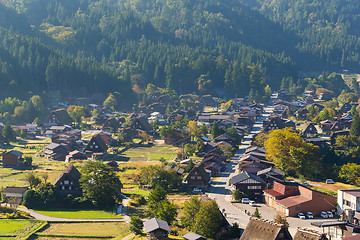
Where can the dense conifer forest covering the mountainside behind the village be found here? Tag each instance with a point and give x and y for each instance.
(229, 48)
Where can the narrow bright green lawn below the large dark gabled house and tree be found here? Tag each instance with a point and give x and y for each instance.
(80, 214)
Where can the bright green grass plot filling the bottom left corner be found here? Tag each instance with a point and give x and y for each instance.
(17, 227)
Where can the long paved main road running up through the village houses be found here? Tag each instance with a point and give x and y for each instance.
(220, 191)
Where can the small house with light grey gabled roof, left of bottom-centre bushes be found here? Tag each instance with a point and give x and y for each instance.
(156, 229)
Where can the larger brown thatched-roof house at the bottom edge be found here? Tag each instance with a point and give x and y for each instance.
(260, 229)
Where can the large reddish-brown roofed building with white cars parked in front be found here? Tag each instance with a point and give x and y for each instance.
(290, 199)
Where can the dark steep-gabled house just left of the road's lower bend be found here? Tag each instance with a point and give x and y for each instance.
(198, 178)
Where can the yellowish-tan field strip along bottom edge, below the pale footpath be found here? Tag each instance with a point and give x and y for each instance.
(108, 229)
